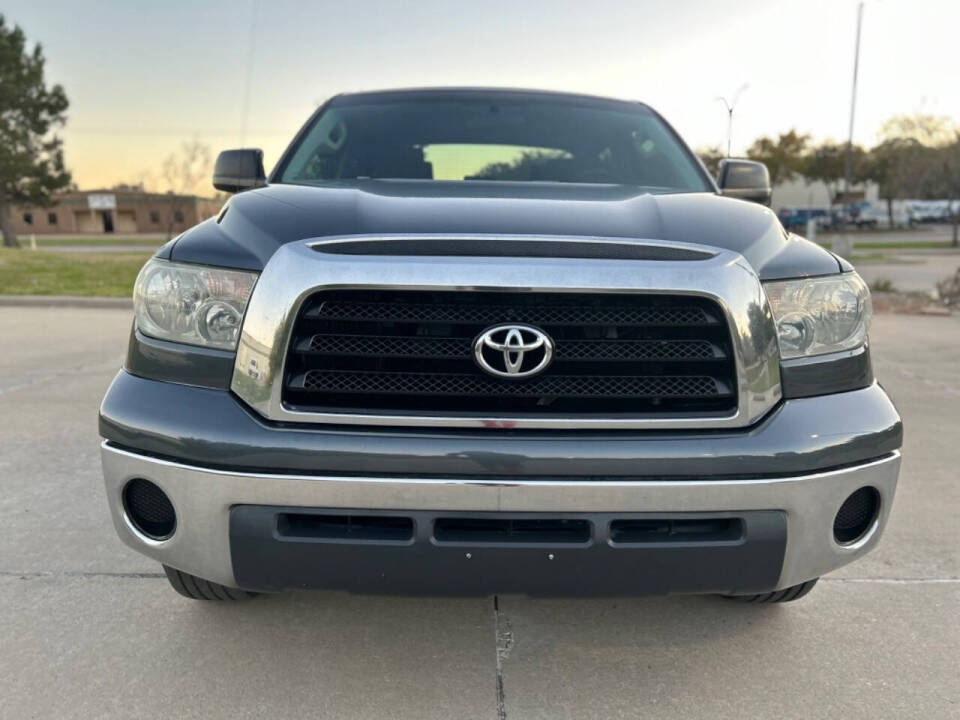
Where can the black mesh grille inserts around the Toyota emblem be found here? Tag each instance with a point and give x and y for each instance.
(411, 352)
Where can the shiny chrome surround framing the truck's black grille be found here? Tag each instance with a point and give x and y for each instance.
(299, 269)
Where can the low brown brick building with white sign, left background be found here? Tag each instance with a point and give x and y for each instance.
(122, 211)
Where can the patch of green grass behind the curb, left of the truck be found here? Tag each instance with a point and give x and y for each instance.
(89, 273)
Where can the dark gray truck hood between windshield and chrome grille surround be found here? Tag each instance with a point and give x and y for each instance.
(256, 223)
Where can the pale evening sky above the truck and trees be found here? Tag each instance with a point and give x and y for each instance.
(145, 77)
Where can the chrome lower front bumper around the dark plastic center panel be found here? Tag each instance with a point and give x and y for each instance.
(203, 499)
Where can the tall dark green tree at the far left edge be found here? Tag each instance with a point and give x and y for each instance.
(31, 158)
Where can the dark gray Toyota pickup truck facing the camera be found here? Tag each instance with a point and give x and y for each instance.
(473, 341)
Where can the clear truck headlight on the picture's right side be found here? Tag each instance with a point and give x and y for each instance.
(820, 315)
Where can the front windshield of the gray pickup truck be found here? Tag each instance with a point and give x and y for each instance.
(493, 139)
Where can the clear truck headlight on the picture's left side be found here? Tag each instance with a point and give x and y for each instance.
(191, 304)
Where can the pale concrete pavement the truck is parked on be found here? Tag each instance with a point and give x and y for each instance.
(89, 629)
